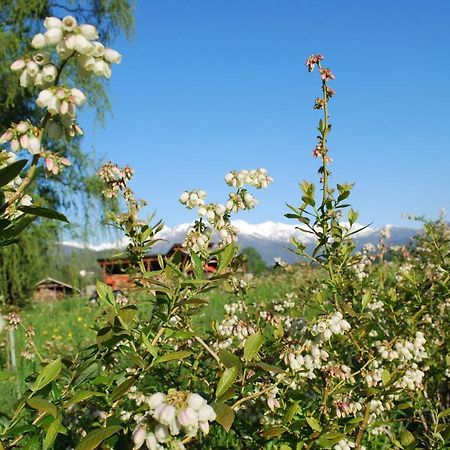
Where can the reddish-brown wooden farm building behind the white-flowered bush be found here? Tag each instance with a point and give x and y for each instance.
(115, 270)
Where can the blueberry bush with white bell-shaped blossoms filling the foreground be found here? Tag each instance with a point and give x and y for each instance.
(351, 356)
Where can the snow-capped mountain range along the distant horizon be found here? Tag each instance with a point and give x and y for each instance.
(271, 239)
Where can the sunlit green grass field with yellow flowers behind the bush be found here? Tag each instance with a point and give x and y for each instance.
(64, 327)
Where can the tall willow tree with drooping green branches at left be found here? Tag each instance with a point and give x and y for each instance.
(74, 189)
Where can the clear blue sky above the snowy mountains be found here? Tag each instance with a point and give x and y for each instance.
(208, 86)
